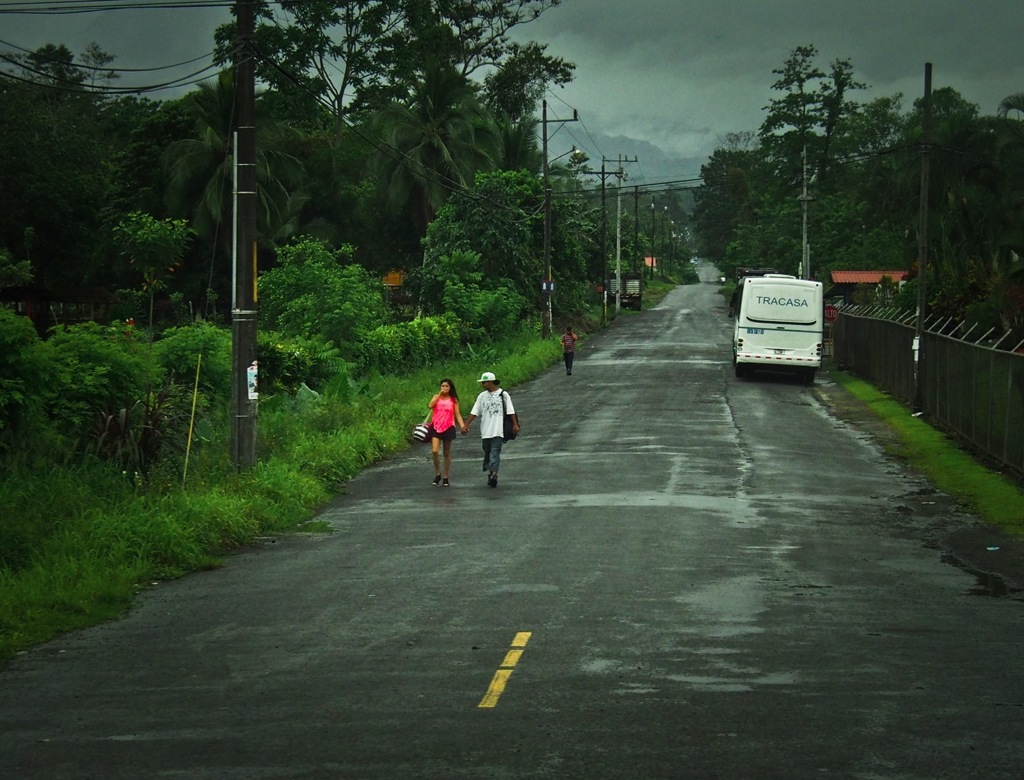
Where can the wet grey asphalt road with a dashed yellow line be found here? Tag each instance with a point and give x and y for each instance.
(680, 576)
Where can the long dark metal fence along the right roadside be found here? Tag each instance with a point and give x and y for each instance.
(971, 384)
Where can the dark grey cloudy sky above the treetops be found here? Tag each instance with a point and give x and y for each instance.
(655, 77)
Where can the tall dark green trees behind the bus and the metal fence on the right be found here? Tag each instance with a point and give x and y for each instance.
(863, 171)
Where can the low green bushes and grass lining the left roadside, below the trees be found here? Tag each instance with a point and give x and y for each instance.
(99, 506)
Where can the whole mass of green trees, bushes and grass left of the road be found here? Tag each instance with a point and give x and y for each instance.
(376, 152)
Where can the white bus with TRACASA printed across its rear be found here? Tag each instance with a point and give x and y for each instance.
(779, 325)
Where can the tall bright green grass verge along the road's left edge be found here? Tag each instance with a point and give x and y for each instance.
(79, 540)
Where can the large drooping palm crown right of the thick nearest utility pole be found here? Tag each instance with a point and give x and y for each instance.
(433, 145)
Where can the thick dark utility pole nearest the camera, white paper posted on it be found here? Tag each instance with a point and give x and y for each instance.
(244, 368)
